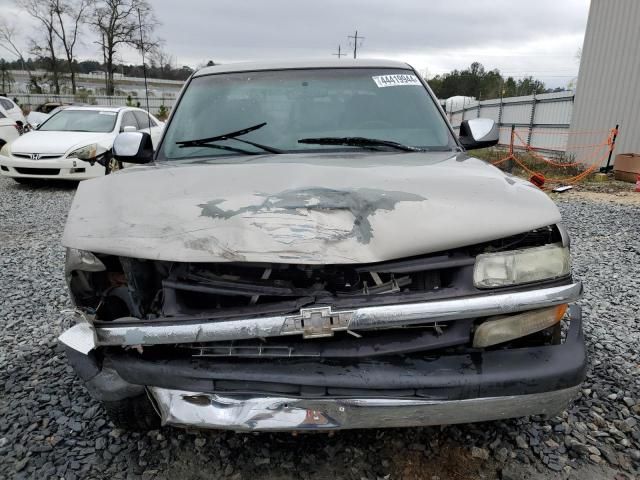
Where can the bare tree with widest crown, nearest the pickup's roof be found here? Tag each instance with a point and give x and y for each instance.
(117, 24)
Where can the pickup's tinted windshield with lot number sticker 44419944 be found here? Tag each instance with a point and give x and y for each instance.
(372, 103)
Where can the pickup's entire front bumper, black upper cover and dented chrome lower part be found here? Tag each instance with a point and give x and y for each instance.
(354, 393)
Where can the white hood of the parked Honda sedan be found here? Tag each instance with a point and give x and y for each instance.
(56, 142)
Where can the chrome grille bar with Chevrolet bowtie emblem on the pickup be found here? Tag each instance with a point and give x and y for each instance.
(323, 321)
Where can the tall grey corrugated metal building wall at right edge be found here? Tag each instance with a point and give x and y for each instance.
(608, 90)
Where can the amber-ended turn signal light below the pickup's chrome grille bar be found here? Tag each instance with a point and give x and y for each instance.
(502, 329)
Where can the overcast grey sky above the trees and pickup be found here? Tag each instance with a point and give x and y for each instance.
(520, 38)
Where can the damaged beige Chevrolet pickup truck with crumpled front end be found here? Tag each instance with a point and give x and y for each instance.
(310, 247)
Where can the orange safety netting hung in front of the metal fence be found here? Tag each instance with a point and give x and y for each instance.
(592, 161)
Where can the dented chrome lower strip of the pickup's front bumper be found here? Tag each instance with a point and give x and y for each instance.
(189, 409)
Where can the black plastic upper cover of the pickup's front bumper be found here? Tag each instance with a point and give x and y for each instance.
(470, 375)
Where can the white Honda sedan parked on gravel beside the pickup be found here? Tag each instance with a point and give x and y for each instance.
(52, 151)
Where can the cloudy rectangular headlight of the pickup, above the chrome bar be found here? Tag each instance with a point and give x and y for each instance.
(514, 267)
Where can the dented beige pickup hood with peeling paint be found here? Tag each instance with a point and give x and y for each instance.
(304, 208)
